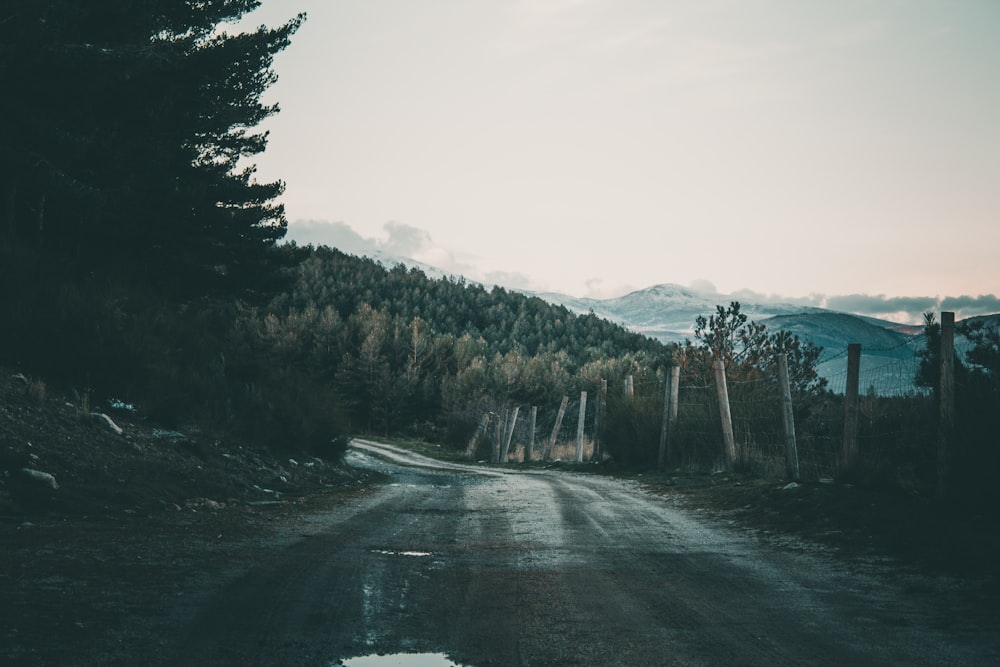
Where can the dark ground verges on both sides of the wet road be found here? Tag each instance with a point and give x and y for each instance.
(143, 518)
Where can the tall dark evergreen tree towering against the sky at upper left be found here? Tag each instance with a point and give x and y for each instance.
(124, 136)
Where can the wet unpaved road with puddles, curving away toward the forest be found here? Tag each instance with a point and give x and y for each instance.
(550, 568)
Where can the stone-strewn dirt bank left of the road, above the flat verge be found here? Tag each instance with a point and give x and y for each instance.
(112, 461)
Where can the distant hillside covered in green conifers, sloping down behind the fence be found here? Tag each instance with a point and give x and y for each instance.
(405, 353)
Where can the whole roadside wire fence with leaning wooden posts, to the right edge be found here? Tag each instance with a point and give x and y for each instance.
(884, 430)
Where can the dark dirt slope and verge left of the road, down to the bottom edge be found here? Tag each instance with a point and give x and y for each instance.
(110, 526)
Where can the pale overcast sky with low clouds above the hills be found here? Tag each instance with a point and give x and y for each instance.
(808, 150)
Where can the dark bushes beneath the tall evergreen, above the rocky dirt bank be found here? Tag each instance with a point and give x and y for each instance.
(182, 362)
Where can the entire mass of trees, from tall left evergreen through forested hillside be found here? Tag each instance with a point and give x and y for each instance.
(139, 257)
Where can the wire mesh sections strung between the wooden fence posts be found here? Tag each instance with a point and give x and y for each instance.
(894, 424)
